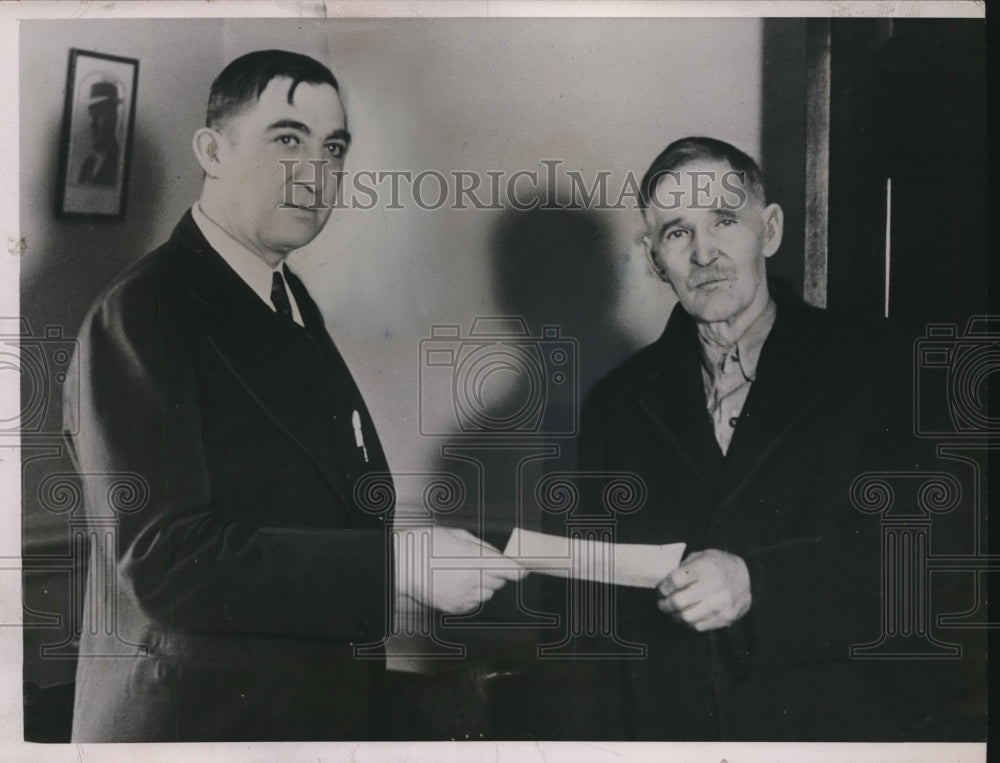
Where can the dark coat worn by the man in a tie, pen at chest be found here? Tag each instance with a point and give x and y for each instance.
(238, 588)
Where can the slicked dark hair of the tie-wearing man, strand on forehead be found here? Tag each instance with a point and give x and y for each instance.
(244, 79)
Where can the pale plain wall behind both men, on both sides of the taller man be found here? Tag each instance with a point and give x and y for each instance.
(471, 95)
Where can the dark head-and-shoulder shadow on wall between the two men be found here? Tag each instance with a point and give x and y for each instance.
(519, 386)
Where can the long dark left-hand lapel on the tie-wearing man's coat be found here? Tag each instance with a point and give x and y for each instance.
(255, 345)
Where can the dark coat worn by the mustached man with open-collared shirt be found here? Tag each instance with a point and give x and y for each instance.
(830, 402)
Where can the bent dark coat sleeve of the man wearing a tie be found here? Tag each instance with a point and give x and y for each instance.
(188, 566)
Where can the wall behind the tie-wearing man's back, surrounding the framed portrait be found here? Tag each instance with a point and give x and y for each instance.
(68, 261)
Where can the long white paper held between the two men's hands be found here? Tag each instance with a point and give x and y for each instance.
(638, 565)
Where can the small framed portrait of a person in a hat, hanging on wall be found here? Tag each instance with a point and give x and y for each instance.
(96, 146)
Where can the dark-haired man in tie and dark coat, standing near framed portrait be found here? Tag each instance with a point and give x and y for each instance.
(239, 590)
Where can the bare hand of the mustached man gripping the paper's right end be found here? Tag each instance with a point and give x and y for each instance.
(710, 590)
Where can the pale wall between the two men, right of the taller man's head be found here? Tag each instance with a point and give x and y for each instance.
(503, 95)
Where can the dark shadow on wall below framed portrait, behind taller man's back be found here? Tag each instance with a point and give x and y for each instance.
(78, 257)
